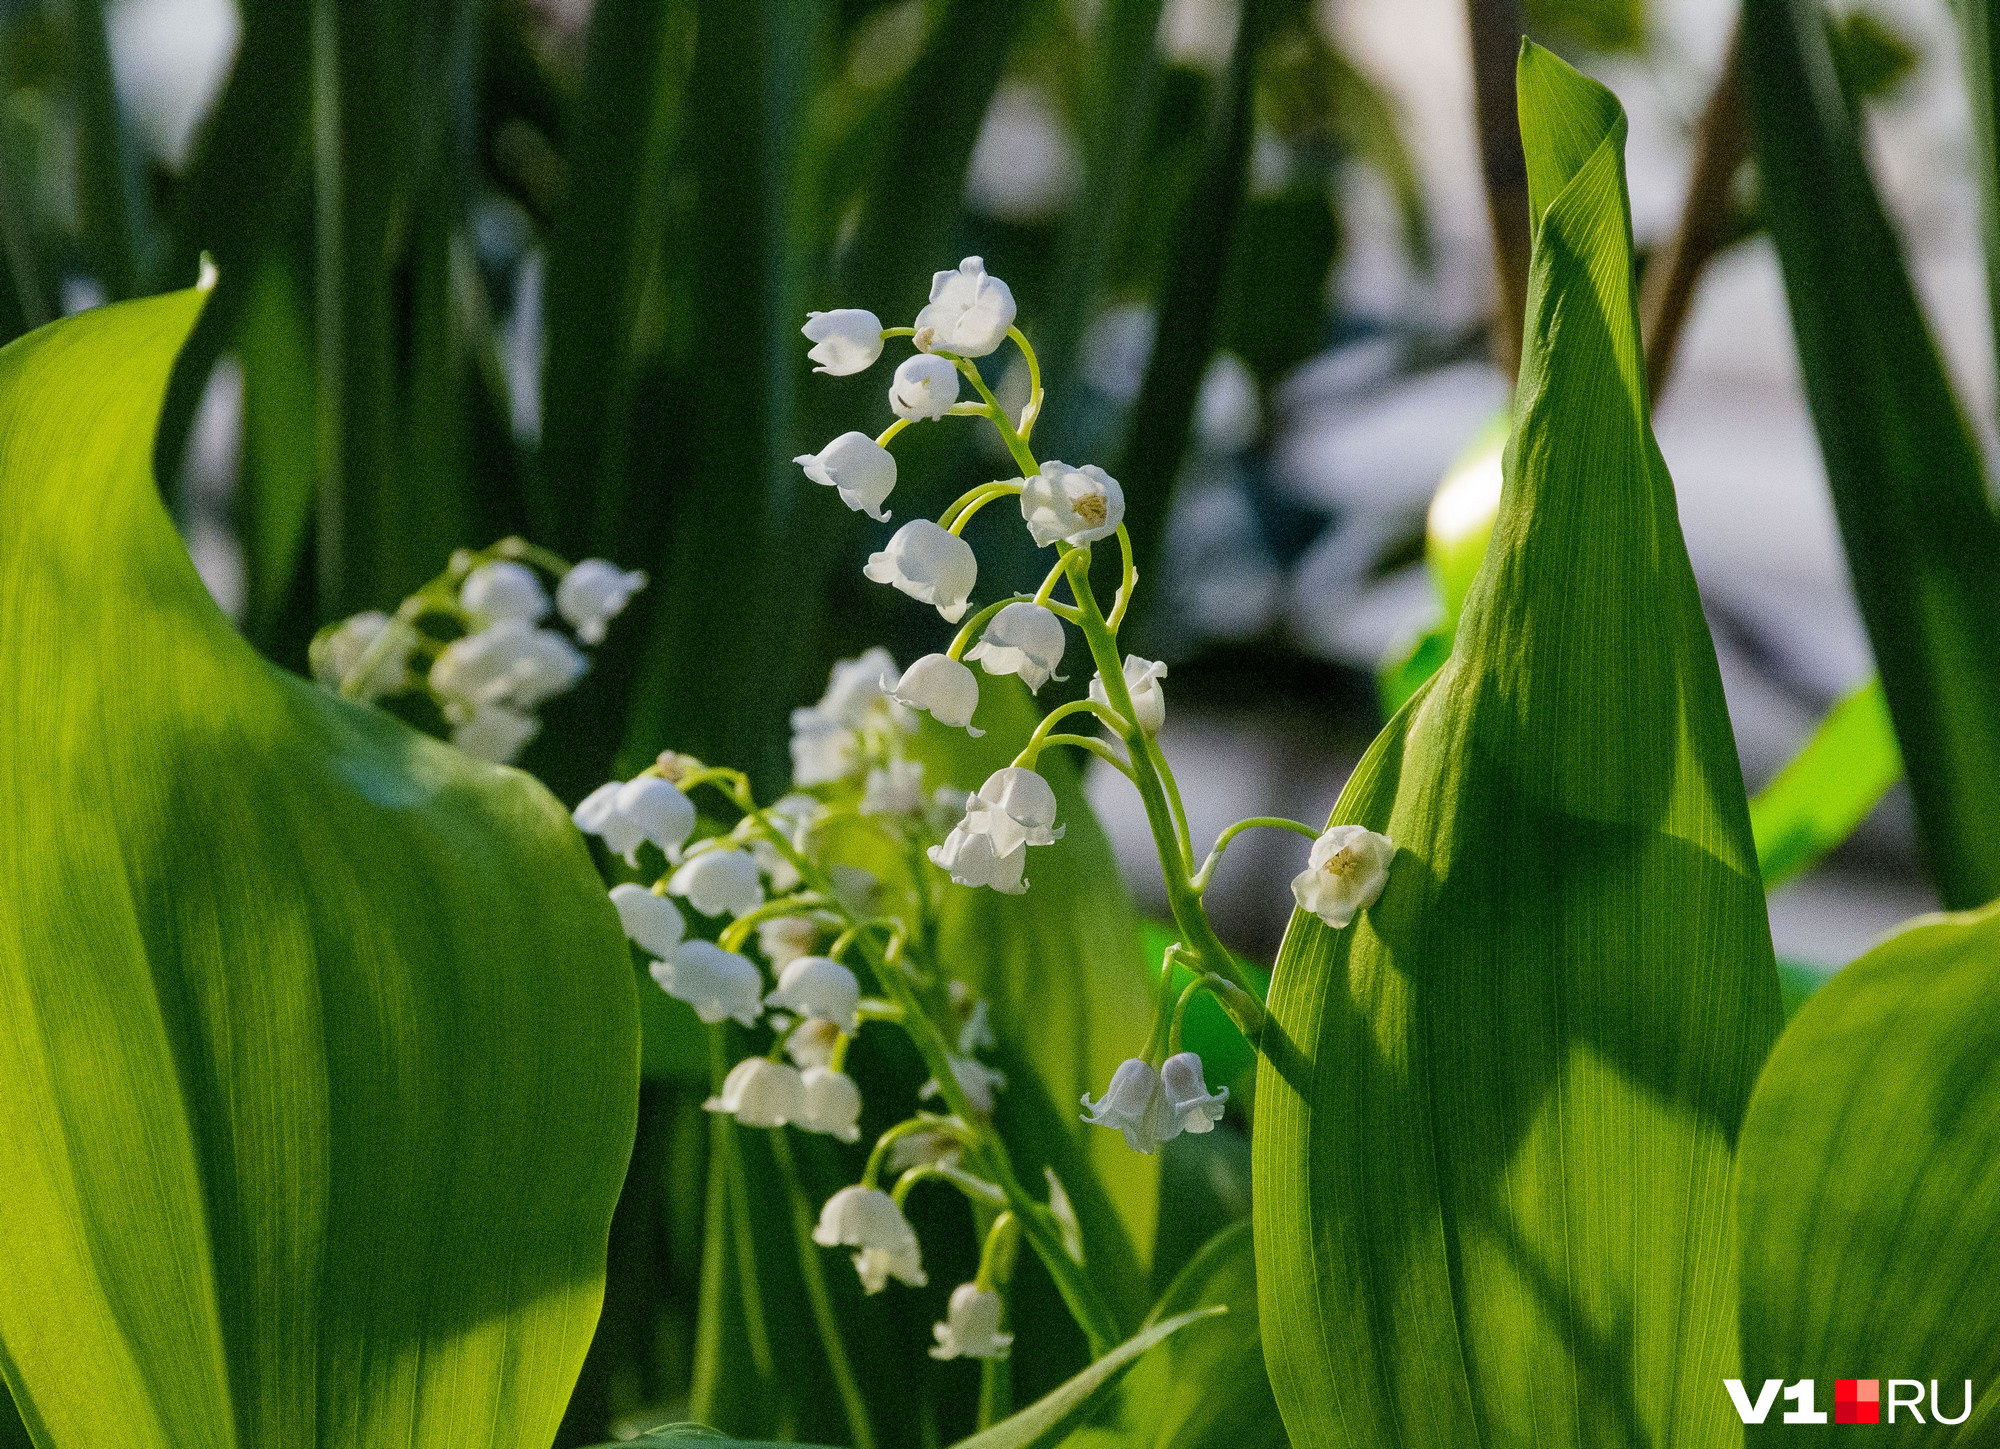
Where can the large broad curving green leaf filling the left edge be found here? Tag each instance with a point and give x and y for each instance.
(317, 1038)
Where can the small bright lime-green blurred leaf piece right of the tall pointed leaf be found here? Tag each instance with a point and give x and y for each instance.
(1825, 792)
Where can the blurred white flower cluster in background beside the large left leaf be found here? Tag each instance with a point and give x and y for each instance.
(505, 661)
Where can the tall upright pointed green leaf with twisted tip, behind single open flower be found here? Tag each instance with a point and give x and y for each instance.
(1495, 1116)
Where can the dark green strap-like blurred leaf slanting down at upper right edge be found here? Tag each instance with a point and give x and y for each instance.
(1909, 491)
